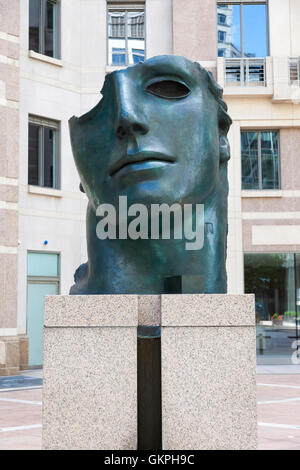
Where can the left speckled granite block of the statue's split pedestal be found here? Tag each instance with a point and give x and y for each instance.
(90, 384)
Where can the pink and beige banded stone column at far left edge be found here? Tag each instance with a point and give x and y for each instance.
(10, 349)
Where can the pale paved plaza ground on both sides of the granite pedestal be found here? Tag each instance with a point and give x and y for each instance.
(278, 397)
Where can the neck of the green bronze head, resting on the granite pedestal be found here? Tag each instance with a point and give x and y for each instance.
(140, 266)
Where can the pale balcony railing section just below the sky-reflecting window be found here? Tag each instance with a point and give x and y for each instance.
(245, 72)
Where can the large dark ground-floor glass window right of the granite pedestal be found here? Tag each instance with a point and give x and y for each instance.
(271, 277)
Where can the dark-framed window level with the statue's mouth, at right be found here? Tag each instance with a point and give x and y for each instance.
(260, 160)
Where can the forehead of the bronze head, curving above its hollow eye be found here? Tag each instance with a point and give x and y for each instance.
(167, 65)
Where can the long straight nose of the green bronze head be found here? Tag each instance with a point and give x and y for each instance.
(130, 115)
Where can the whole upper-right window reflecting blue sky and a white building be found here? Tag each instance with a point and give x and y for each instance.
(246, 26)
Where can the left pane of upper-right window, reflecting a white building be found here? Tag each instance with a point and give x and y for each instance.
(229, 31)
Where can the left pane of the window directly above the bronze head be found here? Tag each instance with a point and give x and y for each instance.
(116, 38)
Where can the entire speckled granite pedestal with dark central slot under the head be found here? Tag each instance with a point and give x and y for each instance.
(208, 368)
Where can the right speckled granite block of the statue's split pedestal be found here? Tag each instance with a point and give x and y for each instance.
(208, 357)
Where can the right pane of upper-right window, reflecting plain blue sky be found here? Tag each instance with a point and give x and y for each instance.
(255, 30)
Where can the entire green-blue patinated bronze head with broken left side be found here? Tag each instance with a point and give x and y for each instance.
(158, 135)
